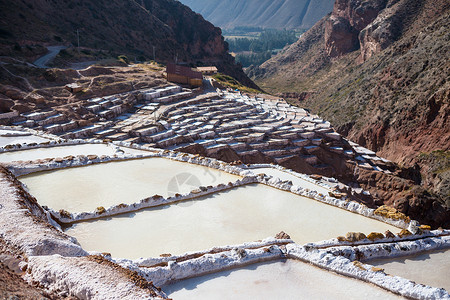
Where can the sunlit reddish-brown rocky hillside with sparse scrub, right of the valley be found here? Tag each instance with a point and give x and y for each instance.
(379, 70)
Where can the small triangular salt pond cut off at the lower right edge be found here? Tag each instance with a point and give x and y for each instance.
(432, 268)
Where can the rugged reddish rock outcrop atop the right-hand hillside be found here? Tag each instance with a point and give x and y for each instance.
(374, 25)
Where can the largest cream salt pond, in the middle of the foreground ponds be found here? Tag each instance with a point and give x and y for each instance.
(233, 217)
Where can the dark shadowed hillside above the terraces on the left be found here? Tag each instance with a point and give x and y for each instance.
(133, 28)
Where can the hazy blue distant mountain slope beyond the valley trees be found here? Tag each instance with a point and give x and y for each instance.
(262, 13)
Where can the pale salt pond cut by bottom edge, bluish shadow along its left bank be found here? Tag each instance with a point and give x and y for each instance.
(275, 280)
